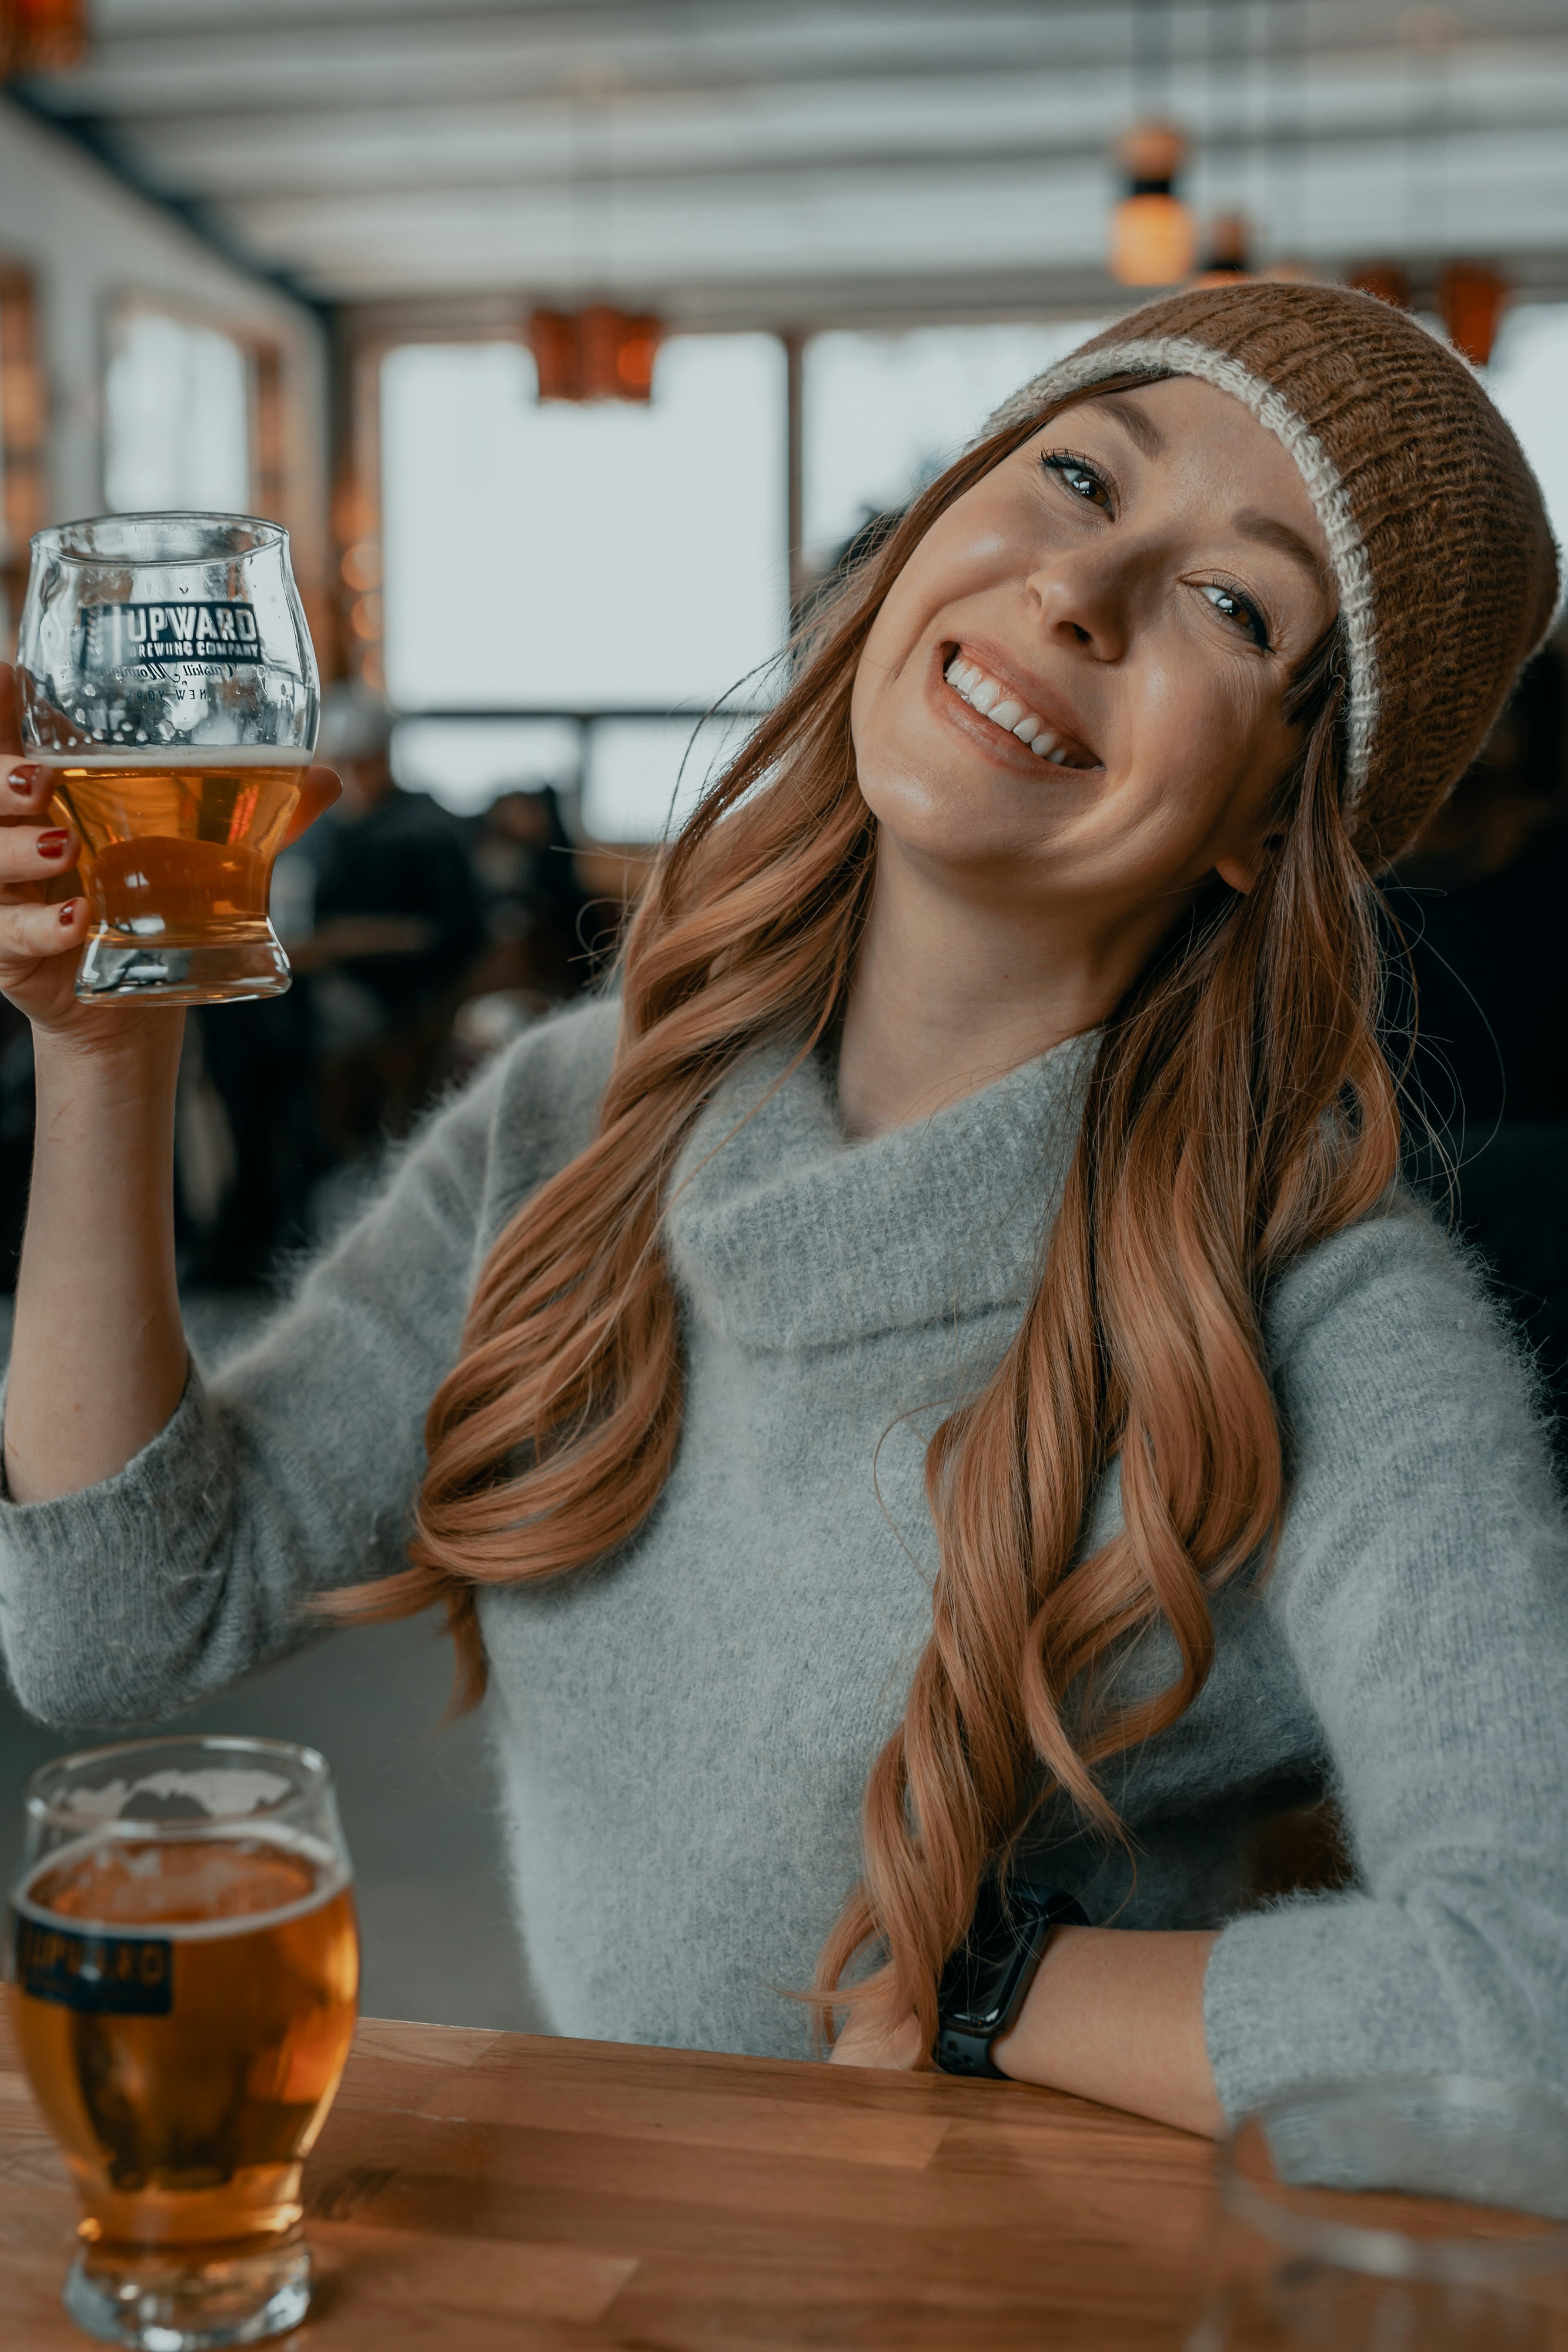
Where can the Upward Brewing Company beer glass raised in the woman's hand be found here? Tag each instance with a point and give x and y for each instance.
(168, 679)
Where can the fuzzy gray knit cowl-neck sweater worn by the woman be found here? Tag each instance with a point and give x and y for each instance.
(685, 1732)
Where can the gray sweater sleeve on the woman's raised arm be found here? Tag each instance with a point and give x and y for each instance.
(293, 1469)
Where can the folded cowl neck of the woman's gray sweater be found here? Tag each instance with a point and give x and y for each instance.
(789, 1234)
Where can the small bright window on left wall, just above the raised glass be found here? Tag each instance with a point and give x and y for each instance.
(177, 427)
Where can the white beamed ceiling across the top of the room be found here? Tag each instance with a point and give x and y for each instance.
(737, 161)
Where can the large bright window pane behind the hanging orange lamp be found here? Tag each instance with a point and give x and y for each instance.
(582, 559)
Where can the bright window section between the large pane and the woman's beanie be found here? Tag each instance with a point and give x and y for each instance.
(887, 413)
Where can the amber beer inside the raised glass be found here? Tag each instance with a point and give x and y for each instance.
(180, 850)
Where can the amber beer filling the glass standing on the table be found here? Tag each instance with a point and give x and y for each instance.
(185, 2012)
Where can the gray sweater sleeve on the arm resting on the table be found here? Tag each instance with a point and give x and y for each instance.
(1423, 1593)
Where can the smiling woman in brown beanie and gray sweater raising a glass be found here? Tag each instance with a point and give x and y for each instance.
(937, 1379)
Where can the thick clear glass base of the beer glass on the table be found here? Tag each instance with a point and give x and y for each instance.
(189, 2299)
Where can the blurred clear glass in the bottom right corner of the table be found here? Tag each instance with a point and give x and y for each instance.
(1395, 2214)
